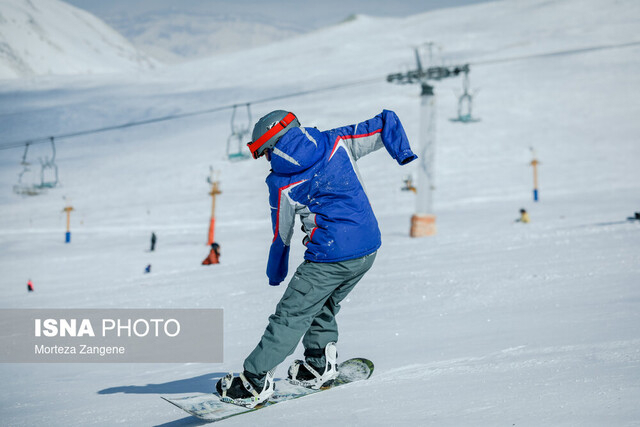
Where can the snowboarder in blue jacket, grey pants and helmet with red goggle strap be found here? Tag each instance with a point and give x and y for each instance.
(314, 175)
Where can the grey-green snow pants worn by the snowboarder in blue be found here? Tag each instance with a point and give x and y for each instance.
(306, 310)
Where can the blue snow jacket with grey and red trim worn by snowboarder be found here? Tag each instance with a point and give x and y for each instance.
(314, 175)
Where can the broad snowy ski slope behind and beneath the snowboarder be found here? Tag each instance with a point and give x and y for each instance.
(488, 323)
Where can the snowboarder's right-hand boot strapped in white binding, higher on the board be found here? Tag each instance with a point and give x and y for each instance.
(312, 374)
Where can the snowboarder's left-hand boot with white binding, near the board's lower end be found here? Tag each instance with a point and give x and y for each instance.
(245, 390)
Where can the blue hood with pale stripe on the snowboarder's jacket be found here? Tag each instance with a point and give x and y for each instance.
(296, 151)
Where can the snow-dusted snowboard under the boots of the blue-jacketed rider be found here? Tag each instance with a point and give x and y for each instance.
(209, 407)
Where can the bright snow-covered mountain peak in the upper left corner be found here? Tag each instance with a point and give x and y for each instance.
(39, 37)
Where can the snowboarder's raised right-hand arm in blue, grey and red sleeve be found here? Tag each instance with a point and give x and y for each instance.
(385, 129)
